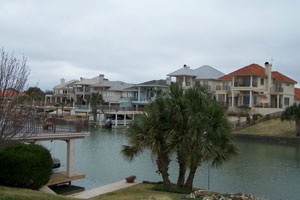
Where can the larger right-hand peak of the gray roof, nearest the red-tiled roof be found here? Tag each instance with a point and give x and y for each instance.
(207, 72)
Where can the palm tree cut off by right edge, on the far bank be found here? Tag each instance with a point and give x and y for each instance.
(292, 113)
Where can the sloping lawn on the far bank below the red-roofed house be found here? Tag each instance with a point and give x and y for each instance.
(274, 127)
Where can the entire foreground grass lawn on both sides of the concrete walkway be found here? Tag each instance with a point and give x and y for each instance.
(136, 192)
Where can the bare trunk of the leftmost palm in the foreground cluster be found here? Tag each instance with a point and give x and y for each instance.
(162, 162)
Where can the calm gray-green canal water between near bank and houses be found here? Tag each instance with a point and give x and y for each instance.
(267, 170)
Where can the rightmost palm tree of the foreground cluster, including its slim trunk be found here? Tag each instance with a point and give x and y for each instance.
(209, 132)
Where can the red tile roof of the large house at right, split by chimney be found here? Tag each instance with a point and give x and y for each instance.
(255, 69)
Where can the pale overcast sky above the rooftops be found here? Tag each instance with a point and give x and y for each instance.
(140, 40)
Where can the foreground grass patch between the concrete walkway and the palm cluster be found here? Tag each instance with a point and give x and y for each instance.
(140, 191)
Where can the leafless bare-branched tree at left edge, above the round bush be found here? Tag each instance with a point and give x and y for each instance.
(15, 111)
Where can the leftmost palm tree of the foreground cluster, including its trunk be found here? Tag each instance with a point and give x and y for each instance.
(150, 131)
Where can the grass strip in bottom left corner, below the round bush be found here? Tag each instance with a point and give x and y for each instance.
(11, 193)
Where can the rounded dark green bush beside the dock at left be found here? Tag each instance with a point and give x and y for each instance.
(27, 166)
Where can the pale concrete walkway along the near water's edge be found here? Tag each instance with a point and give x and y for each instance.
(102, 190)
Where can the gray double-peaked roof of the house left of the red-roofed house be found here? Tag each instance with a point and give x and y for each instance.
(203, 72)
